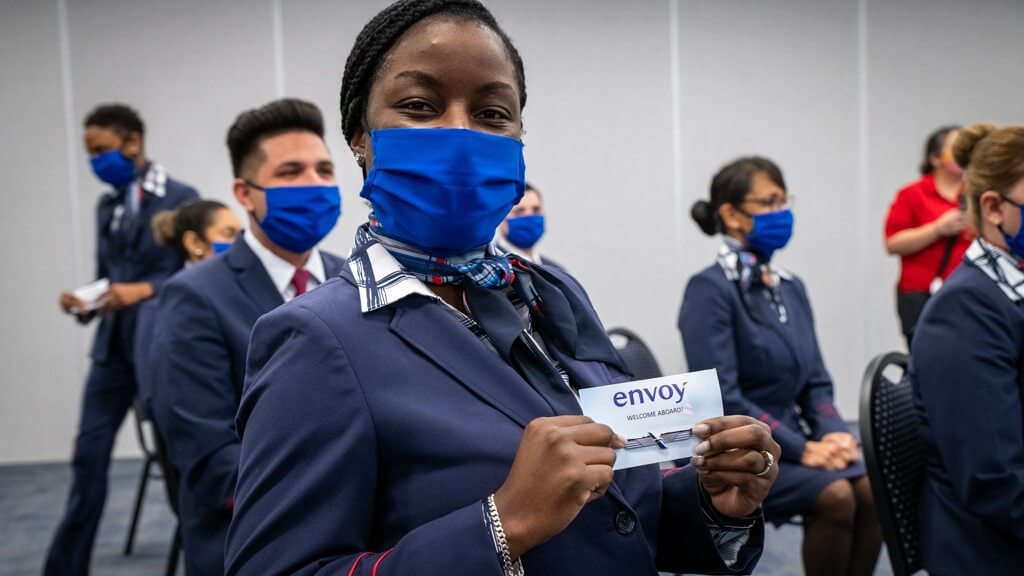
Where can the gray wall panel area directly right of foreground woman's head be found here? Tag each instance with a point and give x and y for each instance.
(599, 146)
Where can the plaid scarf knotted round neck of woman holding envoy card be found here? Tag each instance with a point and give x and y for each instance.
(480, 268)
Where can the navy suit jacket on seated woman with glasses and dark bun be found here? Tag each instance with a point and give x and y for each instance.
(767, 371)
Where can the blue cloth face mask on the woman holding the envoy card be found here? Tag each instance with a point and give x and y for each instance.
(444, 191)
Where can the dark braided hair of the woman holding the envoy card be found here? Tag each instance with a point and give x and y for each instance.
(385, 31)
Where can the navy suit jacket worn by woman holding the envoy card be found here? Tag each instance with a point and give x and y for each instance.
(369, 443)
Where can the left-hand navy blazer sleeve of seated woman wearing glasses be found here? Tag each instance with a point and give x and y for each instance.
(710, 342)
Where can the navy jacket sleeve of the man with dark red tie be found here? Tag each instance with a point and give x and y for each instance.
(194, 397)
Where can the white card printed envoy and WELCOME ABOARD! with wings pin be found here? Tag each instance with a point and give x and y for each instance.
(656, 417)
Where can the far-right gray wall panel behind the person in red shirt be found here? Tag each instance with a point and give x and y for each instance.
(929, 63)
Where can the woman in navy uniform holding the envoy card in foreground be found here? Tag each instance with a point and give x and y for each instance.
(418, 415)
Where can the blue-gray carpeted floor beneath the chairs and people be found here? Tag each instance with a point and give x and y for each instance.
(32, 499)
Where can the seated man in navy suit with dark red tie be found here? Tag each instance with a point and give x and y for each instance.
(284, 179)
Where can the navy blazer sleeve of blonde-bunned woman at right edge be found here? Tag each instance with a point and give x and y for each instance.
(966, 359)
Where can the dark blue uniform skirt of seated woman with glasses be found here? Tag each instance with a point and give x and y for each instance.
(798, 486)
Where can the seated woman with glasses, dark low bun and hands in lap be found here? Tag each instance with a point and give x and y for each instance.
(753, 322)
